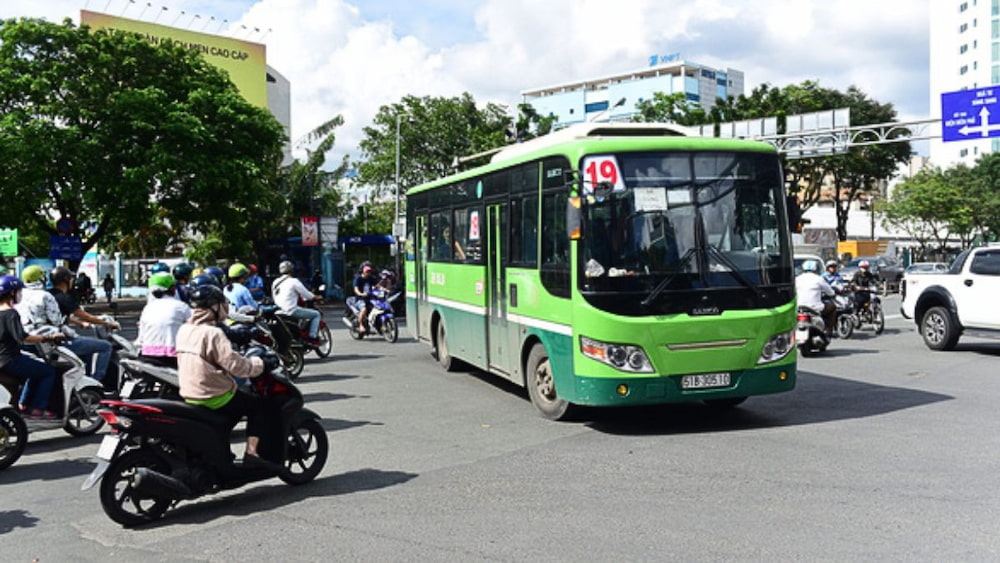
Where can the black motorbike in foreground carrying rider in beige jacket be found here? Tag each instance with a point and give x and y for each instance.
(162, 452)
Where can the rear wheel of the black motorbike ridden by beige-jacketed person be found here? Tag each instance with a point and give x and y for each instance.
(122, 503)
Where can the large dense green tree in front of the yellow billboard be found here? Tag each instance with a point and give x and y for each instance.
(107, 127)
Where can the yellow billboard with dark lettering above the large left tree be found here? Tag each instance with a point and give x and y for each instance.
(245, 62)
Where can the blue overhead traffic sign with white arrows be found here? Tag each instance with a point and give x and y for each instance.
(970, 114)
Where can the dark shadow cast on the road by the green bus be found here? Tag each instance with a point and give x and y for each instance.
(816, 399)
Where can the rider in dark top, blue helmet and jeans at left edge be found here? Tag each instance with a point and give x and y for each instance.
(40, 376)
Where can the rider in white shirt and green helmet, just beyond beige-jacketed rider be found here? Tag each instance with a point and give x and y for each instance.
(160, 320)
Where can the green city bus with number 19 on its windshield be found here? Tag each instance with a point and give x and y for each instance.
(609, 265)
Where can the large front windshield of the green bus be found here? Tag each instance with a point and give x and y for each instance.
(685, 221)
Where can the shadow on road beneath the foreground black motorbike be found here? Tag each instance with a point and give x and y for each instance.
(262, 498)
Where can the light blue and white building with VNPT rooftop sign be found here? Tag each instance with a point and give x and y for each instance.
(615, 97)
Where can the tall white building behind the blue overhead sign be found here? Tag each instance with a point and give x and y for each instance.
(965, 55)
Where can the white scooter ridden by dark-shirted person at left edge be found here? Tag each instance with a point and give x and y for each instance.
(75, 396)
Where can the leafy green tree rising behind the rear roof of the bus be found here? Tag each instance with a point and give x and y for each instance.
(433, 133)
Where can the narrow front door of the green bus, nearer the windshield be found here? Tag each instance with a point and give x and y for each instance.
(496, 302)
